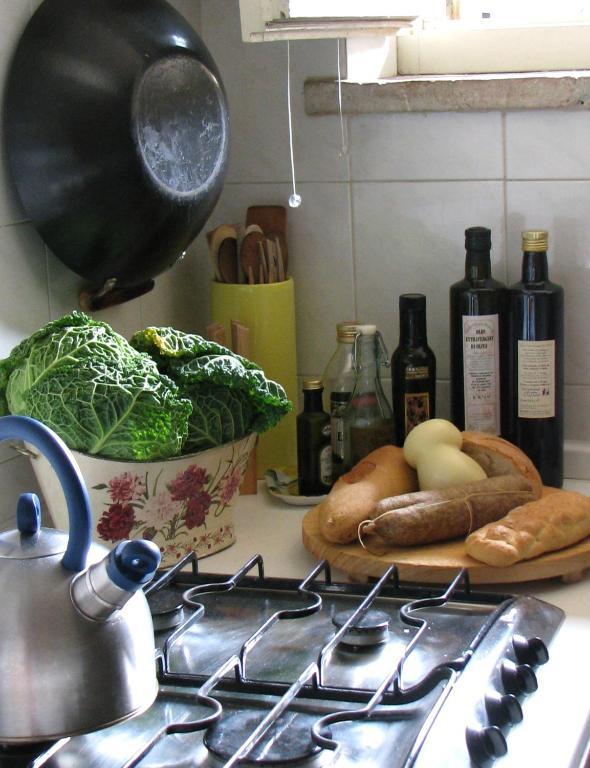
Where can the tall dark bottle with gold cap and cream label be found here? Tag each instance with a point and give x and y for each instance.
(536, 355)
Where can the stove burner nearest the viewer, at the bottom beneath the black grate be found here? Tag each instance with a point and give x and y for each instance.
(288, 742)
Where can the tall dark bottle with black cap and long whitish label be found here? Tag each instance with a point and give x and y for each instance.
(478, 323)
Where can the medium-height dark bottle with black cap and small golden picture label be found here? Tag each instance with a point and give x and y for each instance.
(413, 368)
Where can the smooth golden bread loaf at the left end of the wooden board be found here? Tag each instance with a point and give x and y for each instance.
(384, 472)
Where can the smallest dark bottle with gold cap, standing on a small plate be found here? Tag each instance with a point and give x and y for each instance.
(314, 449)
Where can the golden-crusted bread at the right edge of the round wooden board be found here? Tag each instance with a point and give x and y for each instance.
(553, 522)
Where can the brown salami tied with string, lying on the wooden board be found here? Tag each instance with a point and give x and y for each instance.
(430, 516)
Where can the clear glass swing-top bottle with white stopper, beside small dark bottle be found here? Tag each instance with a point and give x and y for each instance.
(368, 419)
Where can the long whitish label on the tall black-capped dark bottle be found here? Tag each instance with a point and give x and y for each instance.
(481, 373)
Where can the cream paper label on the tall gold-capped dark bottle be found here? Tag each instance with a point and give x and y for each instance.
(536, 379)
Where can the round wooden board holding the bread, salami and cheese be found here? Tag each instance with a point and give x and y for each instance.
(439, 563)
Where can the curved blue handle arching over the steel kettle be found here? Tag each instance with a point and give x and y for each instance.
(70, 477)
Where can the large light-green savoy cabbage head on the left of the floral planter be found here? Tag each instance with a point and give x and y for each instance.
(99, 394)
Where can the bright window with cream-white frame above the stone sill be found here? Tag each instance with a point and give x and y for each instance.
(434, 36)
